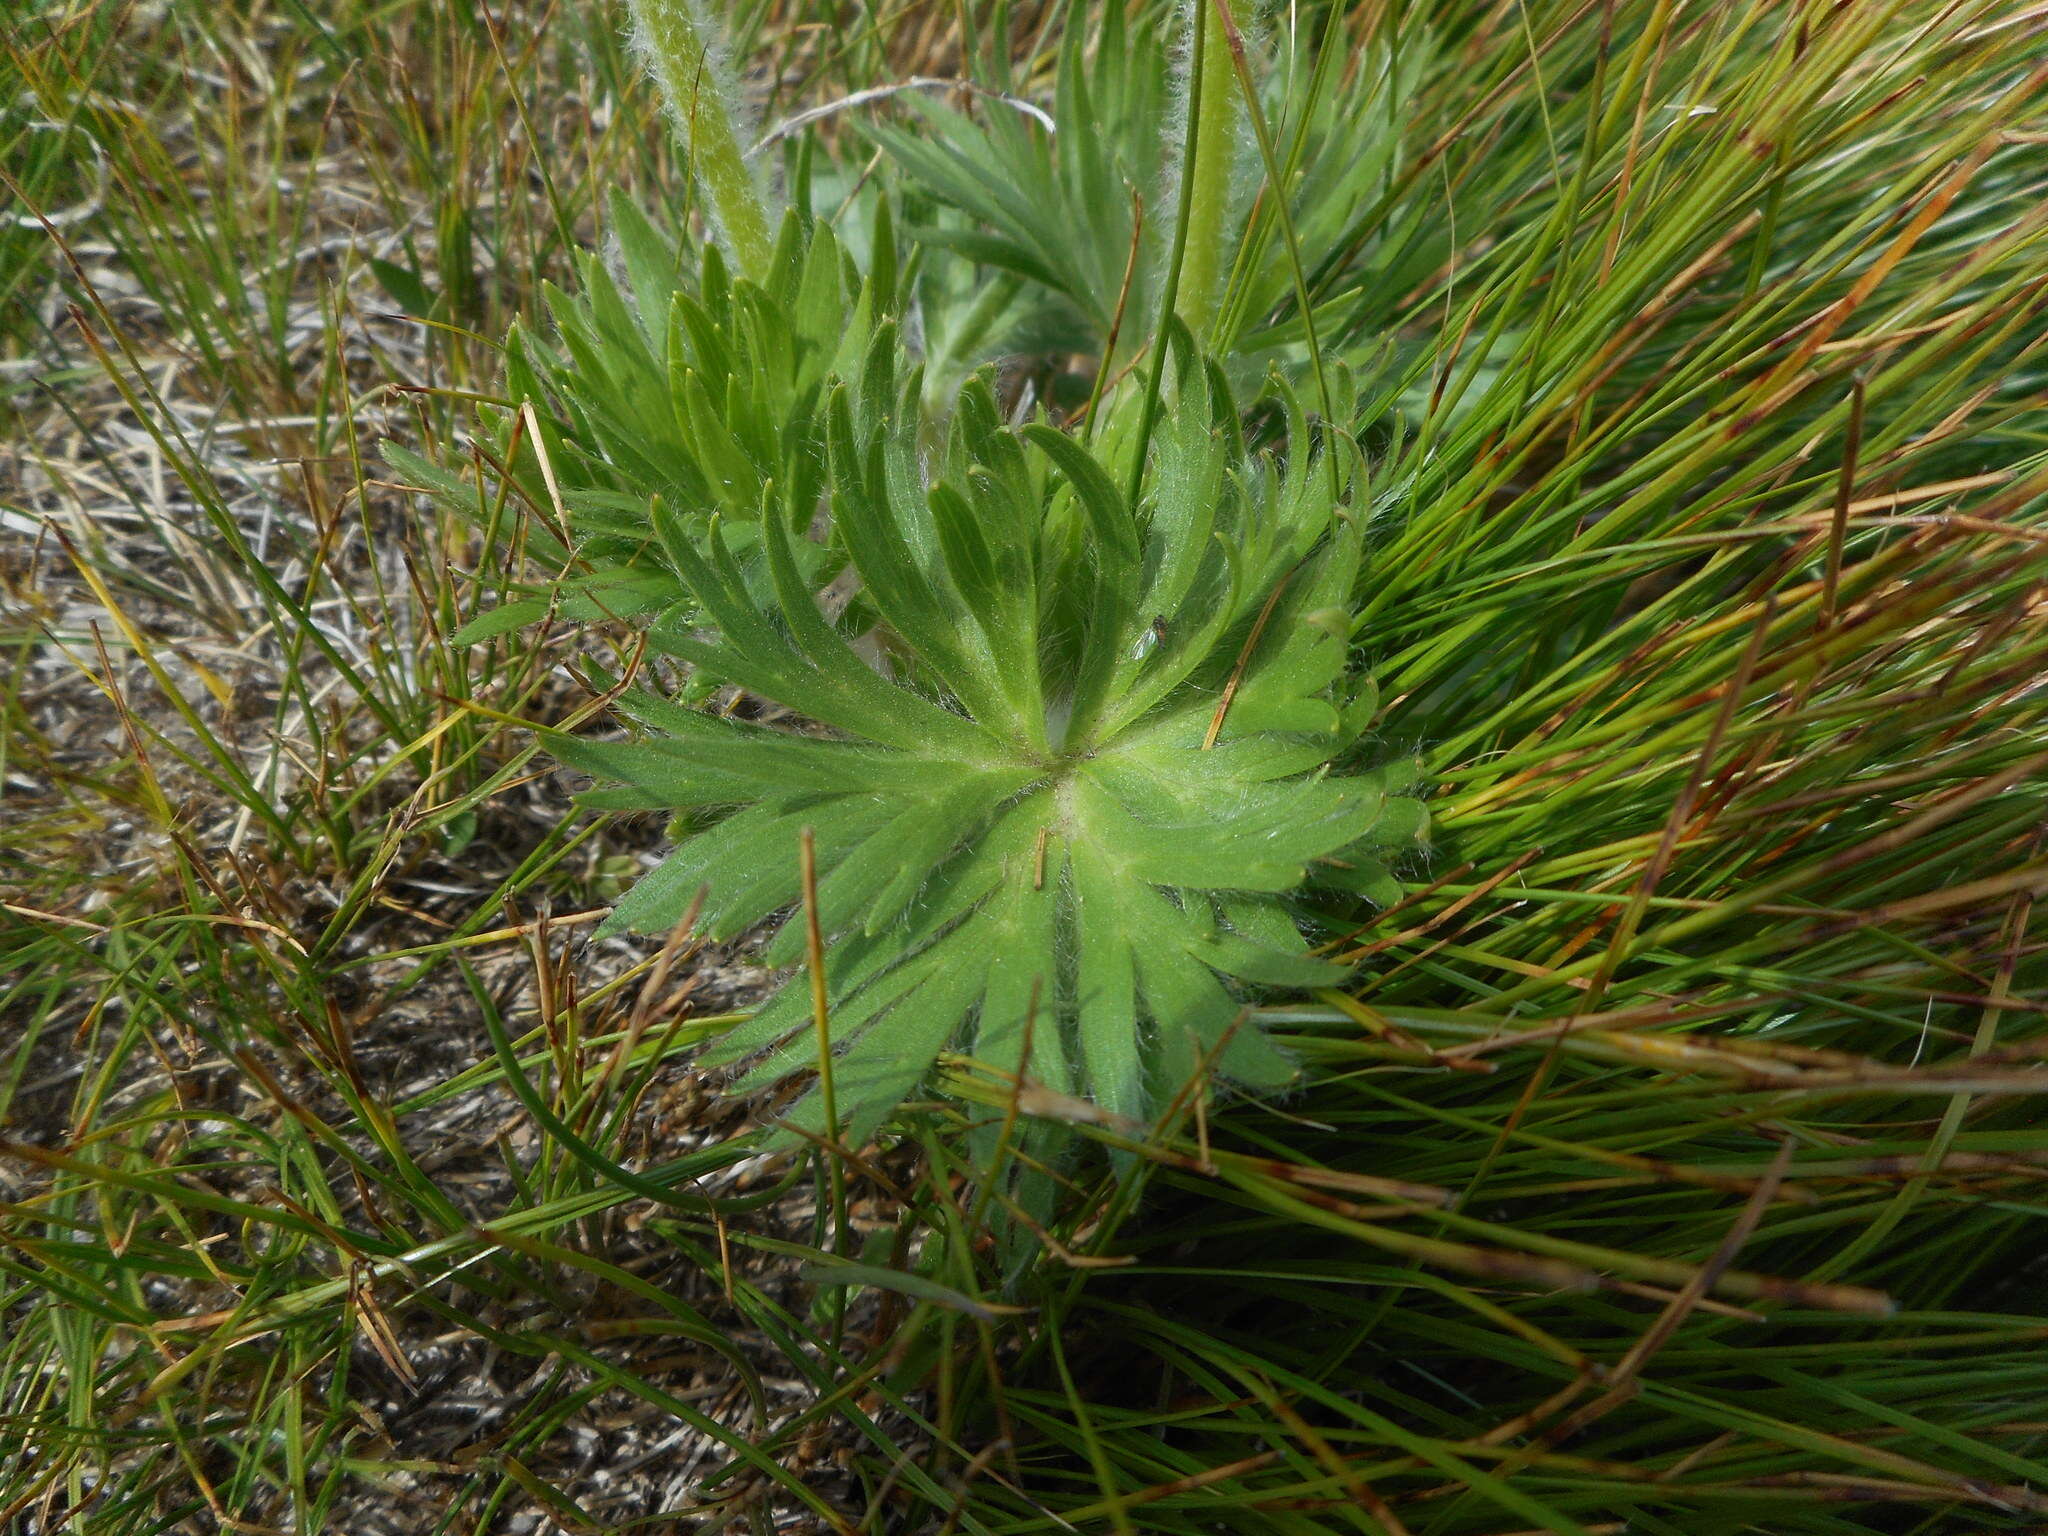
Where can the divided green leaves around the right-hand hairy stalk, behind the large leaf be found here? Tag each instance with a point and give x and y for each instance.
(1074, 232)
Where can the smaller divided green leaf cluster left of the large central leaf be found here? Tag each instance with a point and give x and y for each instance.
(685, 386)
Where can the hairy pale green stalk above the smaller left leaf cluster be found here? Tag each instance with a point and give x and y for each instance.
(683, 50)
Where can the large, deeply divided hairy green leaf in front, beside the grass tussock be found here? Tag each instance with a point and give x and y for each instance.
(1048, 816)
